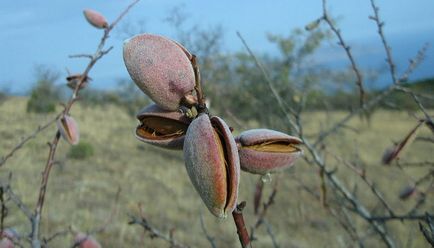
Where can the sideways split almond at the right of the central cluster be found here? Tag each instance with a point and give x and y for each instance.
(265, 151)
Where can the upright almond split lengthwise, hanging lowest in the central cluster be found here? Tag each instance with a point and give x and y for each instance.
(212, 163)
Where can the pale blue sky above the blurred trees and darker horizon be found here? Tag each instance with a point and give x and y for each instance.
(45, 32)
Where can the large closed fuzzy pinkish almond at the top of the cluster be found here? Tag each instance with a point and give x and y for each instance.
(160, 68)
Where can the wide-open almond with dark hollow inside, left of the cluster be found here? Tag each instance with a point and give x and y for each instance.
(162, 127)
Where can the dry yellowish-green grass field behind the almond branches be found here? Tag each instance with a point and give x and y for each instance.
(82, 193)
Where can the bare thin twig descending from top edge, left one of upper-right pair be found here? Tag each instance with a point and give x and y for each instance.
(342, 43)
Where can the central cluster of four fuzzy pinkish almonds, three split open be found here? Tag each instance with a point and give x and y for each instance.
(167, 72)
